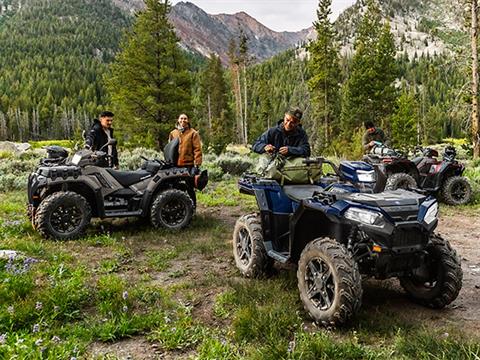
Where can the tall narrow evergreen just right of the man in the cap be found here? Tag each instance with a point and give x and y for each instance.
(325, 71)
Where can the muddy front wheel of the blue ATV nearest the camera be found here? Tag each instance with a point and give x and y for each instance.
(329, 282)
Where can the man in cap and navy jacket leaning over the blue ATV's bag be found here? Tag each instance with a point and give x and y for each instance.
(288, 137)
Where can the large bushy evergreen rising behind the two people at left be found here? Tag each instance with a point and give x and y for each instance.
(149, 83)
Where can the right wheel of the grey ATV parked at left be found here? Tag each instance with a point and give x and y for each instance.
(172, 209)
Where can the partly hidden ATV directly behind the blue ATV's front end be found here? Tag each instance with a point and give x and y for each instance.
(393, 169)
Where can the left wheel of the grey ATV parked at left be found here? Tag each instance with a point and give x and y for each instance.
(63, 215)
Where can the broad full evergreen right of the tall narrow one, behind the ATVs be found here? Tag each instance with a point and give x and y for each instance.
(369, 93)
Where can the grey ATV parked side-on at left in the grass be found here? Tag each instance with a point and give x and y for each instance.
(64, 194)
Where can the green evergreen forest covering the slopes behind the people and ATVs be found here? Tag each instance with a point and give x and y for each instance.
(227, 106)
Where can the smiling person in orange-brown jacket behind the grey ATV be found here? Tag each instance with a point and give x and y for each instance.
(190, 145)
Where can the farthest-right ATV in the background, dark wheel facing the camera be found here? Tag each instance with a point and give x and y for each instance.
(443, 177)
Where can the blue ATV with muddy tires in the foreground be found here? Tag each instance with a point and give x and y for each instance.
(335, 236)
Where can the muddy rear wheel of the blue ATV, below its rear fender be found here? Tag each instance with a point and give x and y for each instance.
(248, 250)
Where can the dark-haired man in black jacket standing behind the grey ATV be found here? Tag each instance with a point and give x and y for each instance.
(99, 134)
